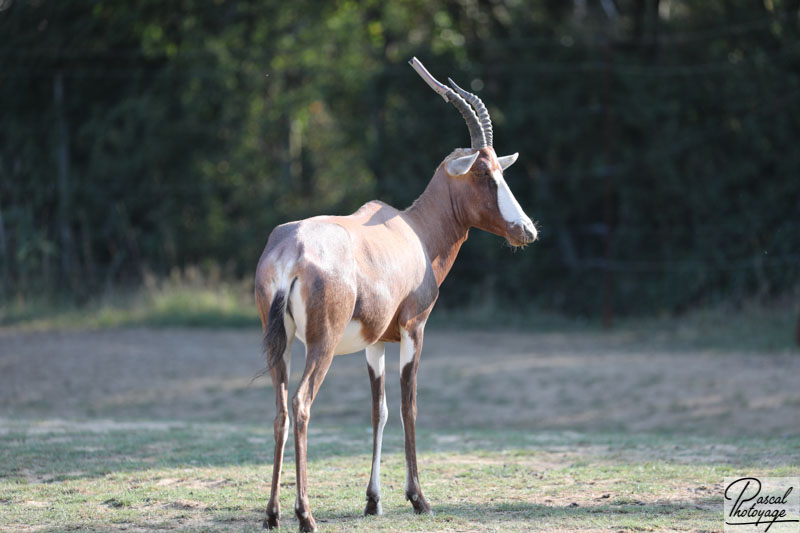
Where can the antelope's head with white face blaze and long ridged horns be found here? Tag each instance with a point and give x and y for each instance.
(478, 190)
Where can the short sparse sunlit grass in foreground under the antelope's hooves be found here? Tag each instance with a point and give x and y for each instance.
(214, 477)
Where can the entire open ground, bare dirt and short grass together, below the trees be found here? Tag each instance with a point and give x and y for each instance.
(553, 429)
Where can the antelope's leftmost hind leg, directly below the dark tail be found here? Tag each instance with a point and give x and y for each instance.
(280, 381)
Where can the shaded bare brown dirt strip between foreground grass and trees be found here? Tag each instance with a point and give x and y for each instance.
(581, 381)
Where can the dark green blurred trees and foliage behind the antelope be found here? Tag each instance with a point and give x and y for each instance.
(191, 130)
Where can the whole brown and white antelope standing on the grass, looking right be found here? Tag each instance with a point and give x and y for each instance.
(342, 284)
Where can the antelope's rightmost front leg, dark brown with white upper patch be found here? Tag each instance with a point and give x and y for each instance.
(410, 350)
